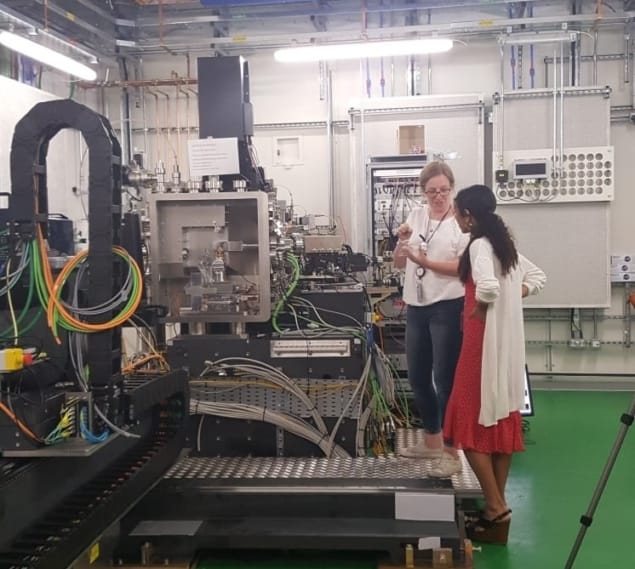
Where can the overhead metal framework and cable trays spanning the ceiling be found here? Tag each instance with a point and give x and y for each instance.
(138, 30)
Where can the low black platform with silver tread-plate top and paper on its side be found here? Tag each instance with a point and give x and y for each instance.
(361, 503)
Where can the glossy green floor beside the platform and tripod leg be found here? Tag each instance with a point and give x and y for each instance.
(551, 486)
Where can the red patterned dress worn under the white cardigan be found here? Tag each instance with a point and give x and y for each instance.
(461, 427)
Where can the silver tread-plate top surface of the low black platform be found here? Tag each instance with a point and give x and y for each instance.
(389, 472)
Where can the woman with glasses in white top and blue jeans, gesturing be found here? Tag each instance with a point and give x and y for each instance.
(430, 244)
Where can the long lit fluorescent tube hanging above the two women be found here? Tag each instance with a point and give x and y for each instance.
(362, 50)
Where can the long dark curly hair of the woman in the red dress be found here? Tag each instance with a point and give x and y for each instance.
(479, 201)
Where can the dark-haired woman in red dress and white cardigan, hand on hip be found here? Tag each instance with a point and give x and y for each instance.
(483, 414)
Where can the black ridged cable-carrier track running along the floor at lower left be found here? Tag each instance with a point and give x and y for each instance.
(108, 483)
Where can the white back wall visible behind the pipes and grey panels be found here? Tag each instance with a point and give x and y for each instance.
(285, 94)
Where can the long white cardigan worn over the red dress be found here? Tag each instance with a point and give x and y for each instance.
(503, 363)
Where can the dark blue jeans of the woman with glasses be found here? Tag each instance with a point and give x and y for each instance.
(433, 343)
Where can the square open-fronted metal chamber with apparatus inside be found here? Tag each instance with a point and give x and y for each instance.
(210, 256)
